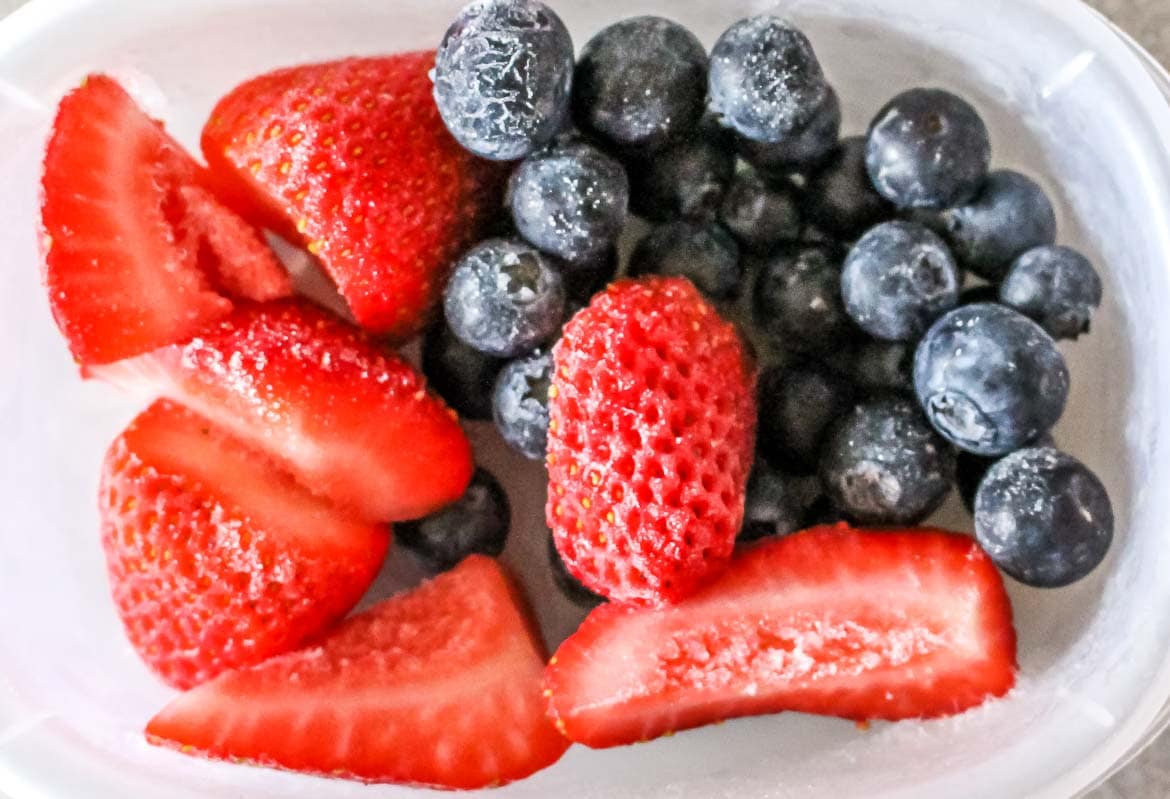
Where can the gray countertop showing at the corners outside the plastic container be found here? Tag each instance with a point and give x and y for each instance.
(1150, 22)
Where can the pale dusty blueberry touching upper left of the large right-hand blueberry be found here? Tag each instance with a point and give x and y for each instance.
(899, 279)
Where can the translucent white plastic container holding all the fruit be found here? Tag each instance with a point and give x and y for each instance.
(1068, 100)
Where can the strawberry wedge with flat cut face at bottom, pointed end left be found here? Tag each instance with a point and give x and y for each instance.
(437, 687)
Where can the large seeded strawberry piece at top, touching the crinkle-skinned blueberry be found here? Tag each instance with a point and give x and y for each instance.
(353, 159)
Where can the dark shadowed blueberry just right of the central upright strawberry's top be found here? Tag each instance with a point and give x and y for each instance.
(797, 302)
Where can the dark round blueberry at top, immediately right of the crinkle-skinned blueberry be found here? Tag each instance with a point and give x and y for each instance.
(641, 84)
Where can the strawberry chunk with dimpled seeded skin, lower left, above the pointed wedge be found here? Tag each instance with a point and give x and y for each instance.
(217, 560)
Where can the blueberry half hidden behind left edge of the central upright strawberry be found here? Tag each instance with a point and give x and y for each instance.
(521, 404)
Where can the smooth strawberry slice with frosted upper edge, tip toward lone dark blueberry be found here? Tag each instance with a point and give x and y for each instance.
(348, 418)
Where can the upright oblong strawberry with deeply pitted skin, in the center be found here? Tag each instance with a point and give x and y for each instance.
(652, 422)
